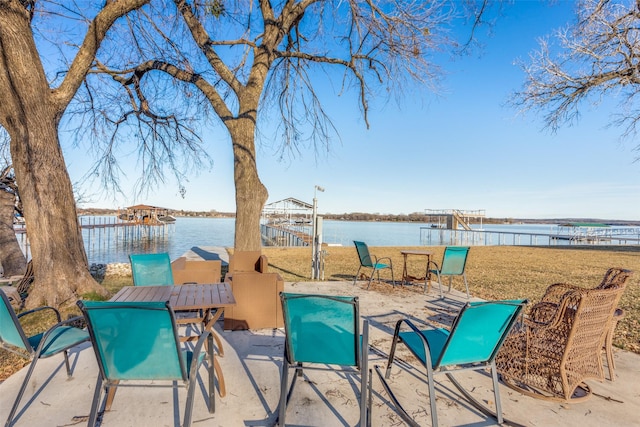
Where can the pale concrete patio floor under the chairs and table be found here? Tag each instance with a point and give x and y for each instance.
(252, 373)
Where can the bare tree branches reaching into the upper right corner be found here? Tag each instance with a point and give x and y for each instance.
(597, 58)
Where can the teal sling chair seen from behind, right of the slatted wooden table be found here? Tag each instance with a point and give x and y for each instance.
(323, 329)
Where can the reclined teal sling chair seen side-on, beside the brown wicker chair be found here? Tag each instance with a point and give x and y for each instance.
(476, 336)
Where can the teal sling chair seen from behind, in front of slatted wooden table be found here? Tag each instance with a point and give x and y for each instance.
(138, 341)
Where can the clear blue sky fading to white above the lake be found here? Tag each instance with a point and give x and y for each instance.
(460, 149)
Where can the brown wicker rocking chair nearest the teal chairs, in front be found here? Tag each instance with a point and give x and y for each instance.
(551, 359)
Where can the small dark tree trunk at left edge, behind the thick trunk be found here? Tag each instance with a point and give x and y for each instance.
(11, 258)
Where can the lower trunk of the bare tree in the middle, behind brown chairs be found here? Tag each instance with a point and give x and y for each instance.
(251, 194)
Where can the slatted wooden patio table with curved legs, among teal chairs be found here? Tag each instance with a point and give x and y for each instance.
(212, 299)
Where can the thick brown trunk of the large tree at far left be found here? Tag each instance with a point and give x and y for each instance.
(30, 116)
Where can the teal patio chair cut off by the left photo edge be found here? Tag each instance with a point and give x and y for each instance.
(58, 339)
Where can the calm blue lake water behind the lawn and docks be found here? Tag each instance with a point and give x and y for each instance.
(107, 246)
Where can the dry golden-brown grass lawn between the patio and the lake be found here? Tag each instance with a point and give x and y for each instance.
(493, 271)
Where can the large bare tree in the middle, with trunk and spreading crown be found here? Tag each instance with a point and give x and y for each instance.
(239, 58)
